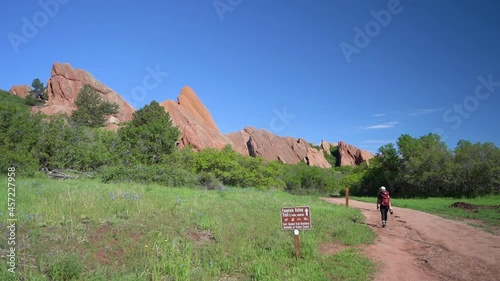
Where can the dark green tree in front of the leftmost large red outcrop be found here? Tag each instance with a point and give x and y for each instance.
(91, 108)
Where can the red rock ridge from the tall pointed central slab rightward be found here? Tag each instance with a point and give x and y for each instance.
(198, 129)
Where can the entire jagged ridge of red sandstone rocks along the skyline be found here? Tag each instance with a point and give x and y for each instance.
(198, 129)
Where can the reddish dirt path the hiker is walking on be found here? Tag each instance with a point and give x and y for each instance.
(419, 246)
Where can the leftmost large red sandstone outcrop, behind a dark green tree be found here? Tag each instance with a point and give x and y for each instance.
(66, 82)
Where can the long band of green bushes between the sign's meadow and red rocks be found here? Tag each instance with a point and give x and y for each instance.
(143, 150)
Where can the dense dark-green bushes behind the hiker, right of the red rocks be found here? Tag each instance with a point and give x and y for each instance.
(426, 167)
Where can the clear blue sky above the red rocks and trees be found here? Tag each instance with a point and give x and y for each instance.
(363, 72)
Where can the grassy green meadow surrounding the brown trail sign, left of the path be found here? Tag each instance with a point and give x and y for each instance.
(86, 230)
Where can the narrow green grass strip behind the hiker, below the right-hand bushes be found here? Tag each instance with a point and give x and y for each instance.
(485, 217)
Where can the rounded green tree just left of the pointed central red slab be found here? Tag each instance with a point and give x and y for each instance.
(149, 137)
